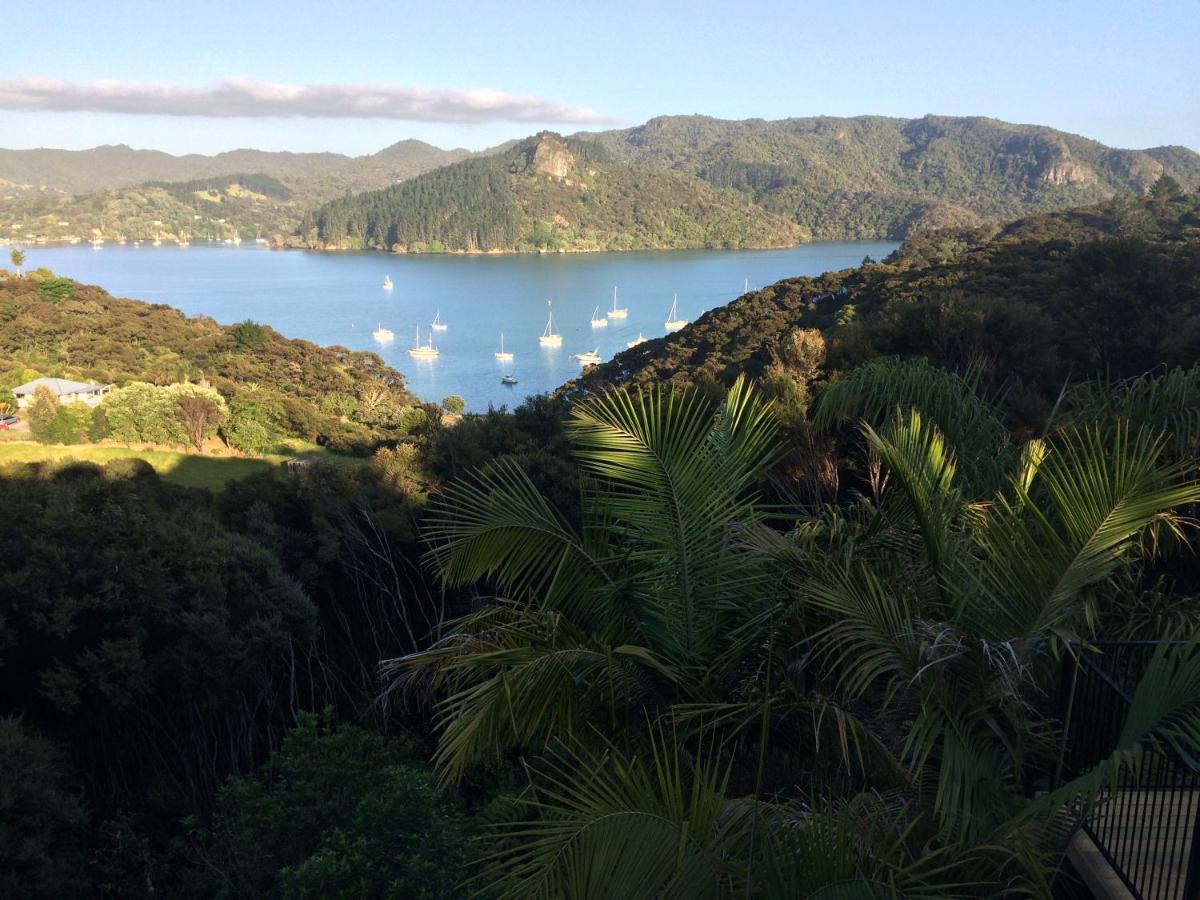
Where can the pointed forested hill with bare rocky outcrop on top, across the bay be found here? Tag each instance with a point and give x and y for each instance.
(548, 194)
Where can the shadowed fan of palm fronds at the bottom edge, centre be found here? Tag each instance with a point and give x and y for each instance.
(609, 825)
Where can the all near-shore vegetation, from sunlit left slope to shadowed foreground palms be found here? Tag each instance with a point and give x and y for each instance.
(781, 605)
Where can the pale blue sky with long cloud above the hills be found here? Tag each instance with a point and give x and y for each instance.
(355, 77)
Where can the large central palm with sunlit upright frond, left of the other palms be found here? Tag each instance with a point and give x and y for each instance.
(622, 615)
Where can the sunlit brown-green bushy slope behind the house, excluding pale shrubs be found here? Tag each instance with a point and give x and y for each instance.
(55, 327)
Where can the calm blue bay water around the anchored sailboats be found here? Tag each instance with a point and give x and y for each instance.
(338, 299)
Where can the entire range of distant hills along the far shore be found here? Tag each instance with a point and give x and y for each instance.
(675, 182)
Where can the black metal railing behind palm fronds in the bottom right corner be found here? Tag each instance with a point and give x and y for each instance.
(1148, 826)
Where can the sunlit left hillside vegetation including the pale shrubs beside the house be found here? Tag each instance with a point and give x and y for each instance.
(181, 381)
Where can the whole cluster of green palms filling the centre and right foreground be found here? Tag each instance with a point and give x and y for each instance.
(903, 646)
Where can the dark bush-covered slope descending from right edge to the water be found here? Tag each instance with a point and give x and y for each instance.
(1107, 290)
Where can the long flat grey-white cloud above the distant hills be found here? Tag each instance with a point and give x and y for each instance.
(247, 98)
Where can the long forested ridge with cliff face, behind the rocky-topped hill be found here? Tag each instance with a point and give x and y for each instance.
(874, 177)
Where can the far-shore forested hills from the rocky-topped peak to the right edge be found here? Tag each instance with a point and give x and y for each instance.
(689, 182)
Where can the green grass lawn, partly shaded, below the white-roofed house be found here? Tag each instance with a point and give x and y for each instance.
(189, 470)
